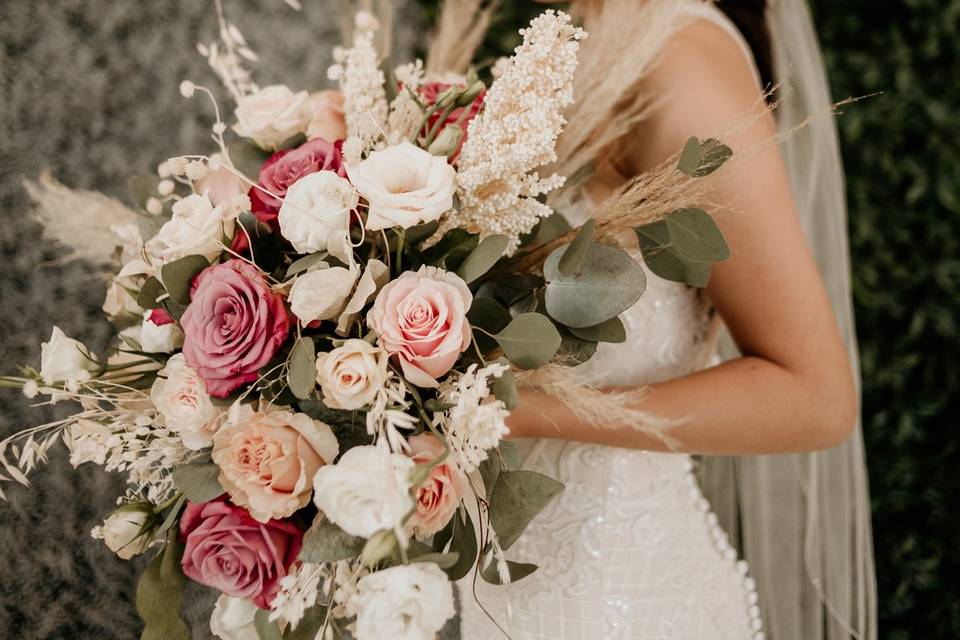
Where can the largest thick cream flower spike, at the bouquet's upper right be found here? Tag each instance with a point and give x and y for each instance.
(516, 132)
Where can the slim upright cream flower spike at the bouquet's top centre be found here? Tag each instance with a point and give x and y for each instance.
(358, 71)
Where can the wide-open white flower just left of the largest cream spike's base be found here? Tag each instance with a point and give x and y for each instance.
(404, 185)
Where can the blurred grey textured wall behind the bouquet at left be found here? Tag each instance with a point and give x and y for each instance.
(88, 89)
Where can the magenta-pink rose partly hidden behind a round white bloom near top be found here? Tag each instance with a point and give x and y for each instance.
(285, 167)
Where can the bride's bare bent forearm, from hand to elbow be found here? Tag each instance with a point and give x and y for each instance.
(748, 405)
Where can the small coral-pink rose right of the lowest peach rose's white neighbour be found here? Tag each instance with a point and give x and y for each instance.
(439, 496)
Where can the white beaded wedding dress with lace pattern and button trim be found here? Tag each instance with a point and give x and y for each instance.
(630, 549)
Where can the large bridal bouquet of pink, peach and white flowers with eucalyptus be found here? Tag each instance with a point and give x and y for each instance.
(320, 339)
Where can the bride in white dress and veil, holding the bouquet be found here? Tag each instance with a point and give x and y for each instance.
(632, 548)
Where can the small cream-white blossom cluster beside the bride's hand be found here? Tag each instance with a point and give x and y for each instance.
(476, 423)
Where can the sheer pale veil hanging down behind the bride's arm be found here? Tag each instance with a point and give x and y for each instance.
(804, 520)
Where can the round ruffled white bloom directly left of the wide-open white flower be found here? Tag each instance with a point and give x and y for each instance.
(315, 207)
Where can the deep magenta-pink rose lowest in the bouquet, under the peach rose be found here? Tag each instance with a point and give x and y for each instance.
(228, 550)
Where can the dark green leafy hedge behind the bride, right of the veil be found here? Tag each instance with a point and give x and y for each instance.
(903, 175)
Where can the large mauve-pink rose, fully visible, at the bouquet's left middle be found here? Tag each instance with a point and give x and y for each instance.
(233, 326)
